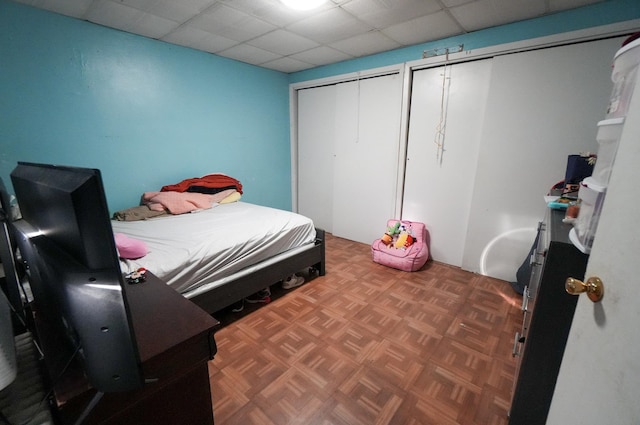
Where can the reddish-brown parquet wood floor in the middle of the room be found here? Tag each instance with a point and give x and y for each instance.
(366, 344)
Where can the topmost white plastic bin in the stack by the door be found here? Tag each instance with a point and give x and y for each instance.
(625, 68)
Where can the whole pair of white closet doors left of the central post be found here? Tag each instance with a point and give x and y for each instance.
(348, 155)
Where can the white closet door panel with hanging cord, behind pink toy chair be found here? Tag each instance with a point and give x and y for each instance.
(439, 182)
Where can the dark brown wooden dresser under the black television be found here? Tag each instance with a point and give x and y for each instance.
(175, 341)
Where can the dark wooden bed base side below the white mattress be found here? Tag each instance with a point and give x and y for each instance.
(234, 290)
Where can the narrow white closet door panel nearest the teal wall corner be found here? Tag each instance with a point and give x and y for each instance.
(316, 135)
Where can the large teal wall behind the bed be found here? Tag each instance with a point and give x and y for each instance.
(146, 113)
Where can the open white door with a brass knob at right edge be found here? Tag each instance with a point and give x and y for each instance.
(599, 380)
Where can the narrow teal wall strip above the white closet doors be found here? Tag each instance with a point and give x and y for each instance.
(603, 13)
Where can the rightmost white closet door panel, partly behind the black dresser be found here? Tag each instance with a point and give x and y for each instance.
(543, 105)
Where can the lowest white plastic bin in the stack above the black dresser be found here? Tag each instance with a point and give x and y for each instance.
(591, 196)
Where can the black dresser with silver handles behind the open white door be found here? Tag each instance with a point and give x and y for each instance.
(548, 313)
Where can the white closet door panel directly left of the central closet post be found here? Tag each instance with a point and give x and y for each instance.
(367, 146)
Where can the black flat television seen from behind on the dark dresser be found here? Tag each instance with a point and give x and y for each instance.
(66, 240)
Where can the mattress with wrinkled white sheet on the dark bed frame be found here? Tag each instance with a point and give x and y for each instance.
(191, 250)
